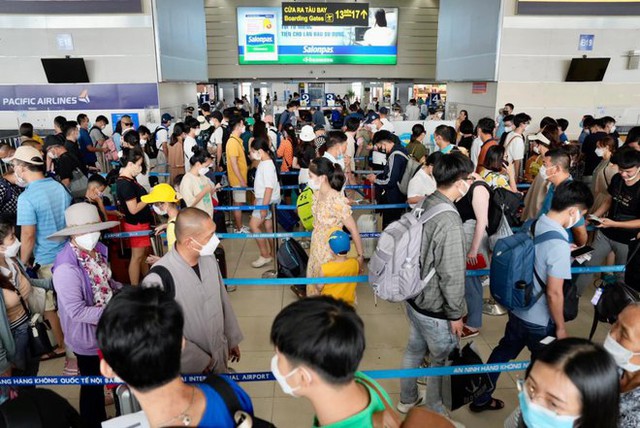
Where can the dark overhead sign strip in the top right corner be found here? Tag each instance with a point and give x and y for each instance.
(578, 7)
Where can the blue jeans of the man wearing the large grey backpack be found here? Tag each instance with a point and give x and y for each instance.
(432, 336)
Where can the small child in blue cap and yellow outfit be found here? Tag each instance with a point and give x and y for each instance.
(341, 265)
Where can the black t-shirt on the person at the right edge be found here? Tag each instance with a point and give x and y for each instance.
(625, 206)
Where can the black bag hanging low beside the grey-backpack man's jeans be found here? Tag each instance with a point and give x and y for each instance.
(460, 390)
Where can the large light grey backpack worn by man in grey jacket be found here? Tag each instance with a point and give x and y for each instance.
(394, 268)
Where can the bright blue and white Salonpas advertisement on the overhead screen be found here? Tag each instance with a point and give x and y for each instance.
(262, 39)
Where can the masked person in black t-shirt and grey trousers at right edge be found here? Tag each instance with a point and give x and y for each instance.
(619, 215)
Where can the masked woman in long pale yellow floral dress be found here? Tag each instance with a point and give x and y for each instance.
(331, 210)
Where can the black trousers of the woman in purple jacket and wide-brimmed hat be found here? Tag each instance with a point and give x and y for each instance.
(92, 404)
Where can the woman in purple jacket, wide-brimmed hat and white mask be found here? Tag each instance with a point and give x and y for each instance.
(84, 286)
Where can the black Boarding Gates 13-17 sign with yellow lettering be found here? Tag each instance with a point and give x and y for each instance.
(330, 14)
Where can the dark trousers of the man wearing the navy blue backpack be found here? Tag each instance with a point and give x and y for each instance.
(517, 334)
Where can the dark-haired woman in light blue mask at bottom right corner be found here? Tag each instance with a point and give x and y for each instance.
(571, 383)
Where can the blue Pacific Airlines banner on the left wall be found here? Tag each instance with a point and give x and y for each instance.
(78, 97)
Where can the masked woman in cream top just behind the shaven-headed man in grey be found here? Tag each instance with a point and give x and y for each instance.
(196, 188)
